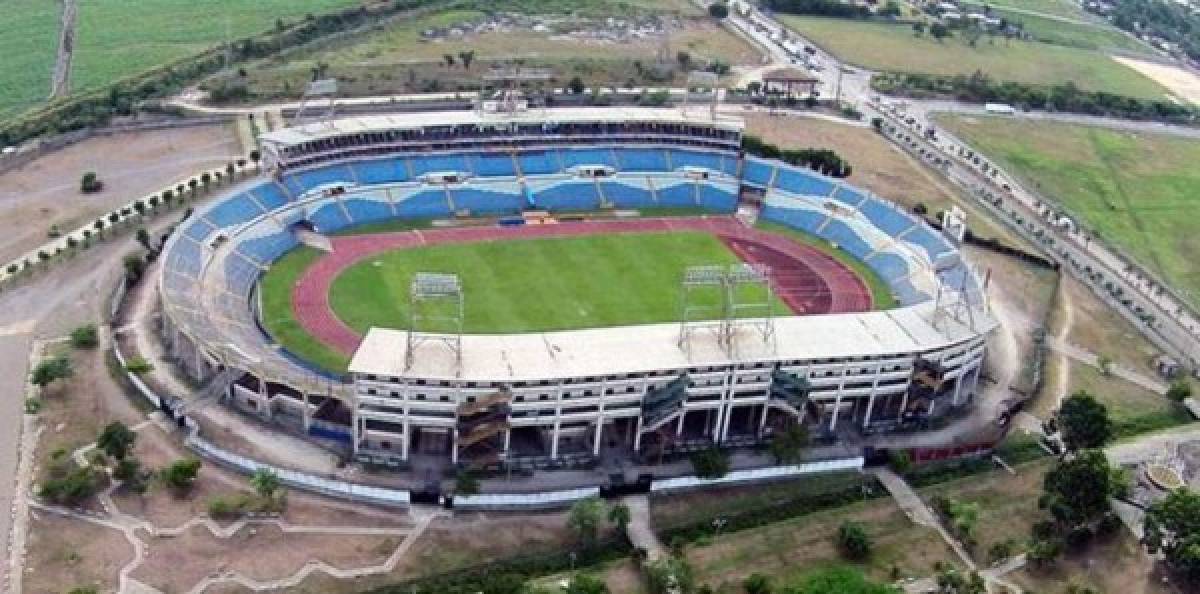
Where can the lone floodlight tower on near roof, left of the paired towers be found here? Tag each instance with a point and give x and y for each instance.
(435, 315)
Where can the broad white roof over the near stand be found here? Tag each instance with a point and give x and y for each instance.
(633, 350)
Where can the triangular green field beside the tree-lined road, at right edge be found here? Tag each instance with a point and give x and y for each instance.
(1137, 191)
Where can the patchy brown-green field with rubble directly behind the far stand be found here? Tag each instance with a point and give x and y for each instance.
(398, 58)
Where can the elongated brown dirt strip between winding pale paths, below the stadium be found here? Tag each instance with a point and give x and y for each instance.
(262, 553)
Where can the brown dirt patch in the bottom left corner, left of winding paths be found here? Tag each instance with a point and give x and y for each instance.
(67, 554)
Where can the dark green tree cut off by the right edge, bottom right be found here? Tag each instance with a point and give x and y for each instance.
(1173, 527)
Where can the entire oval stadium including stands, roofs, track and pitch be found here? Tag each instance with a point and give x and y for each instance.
(547, 289)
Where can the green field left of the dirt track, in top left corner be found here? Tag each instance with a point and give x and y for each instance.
(29, 41)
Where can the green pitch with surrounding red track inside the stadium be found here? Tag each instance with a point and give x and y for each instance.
(569, 277)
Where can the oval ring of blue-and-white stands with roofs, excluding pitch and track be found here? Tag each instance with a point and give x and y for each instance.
(562, 397)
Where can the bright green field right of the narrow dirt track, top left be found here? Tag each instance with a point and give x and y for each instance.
(117, 39)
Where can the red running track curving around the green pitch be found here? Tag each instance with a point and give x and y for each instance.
(806, 279)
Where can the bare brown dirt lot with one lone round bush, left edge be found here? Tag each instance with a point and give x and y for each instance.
(46, 191)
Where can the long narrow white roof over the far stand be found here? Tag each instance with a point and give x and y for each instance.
(427, 119)
